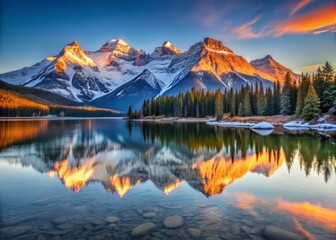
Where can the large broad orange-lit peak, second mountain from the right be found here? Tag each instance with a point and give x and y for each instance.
(211, 65)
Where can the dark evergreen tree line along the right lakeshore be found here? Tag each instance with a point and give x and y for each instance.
(312, 95)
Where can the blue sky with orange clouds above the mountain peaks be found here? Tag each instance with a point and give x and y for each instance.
(300, 34)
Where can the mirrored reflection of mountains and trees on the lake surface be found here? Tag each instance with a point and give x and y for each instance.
(121, 155)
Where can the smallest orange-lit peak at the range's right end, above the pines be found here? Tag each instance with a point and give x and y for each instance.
(269, 66)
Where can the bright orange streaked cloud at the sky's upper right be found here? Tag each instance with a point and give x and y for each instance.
(320, 20)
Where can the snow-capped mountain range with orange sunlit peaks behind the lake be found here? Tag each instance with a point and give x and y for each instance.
(118, 75)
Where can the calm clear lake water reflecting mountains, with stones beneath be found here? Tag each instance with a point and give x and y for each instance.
(99, 179)
